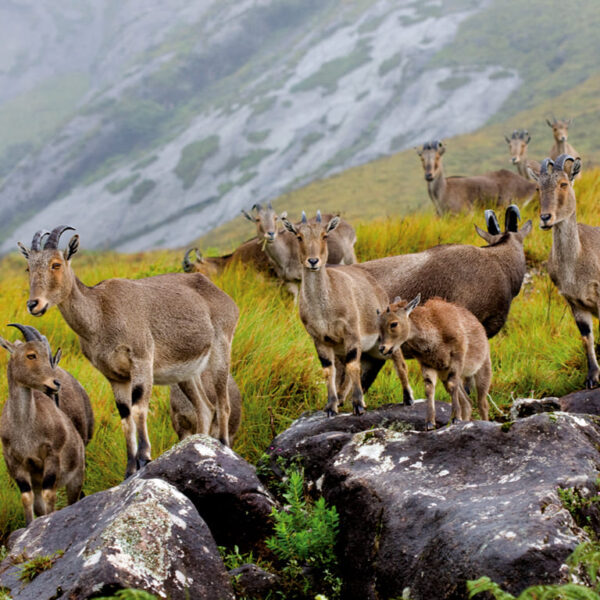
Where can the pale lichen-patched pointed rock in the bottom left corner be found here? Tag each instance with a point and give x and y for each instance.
(142, 534)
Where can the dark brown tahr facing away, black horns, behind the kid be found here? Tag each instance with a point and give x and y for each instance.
(483, 280)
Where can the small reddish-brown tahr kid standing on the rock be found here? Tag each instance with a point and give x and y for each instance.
(449, 343)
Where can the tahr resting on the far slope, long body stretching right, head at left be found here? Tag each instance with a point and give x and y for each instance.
(457, 194)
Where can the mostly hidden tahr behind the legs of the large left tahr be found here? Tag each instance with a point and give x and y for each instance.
(184, 415)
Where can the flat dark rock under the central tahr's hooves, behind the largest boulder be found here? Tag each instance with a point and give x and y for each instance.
(316, 438)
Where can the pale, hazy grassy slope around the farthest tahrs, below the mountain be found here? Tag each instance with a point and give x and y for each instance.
(395, 183)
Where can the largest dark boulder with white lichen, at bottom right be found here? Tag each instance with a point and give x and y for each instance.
(429, 511)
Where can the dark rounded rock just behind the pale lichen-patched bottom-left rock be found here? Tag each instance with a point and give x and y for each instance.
(222, 486)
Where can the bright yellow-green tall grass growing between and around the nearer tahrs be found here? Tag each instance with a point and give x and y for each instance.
(274, 361)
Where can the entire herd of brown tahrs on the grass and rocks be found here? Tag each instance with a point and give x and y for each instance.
(176, 329)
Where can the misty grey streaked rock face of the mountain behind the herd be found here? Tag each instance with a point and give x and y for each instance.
(196, 111)
